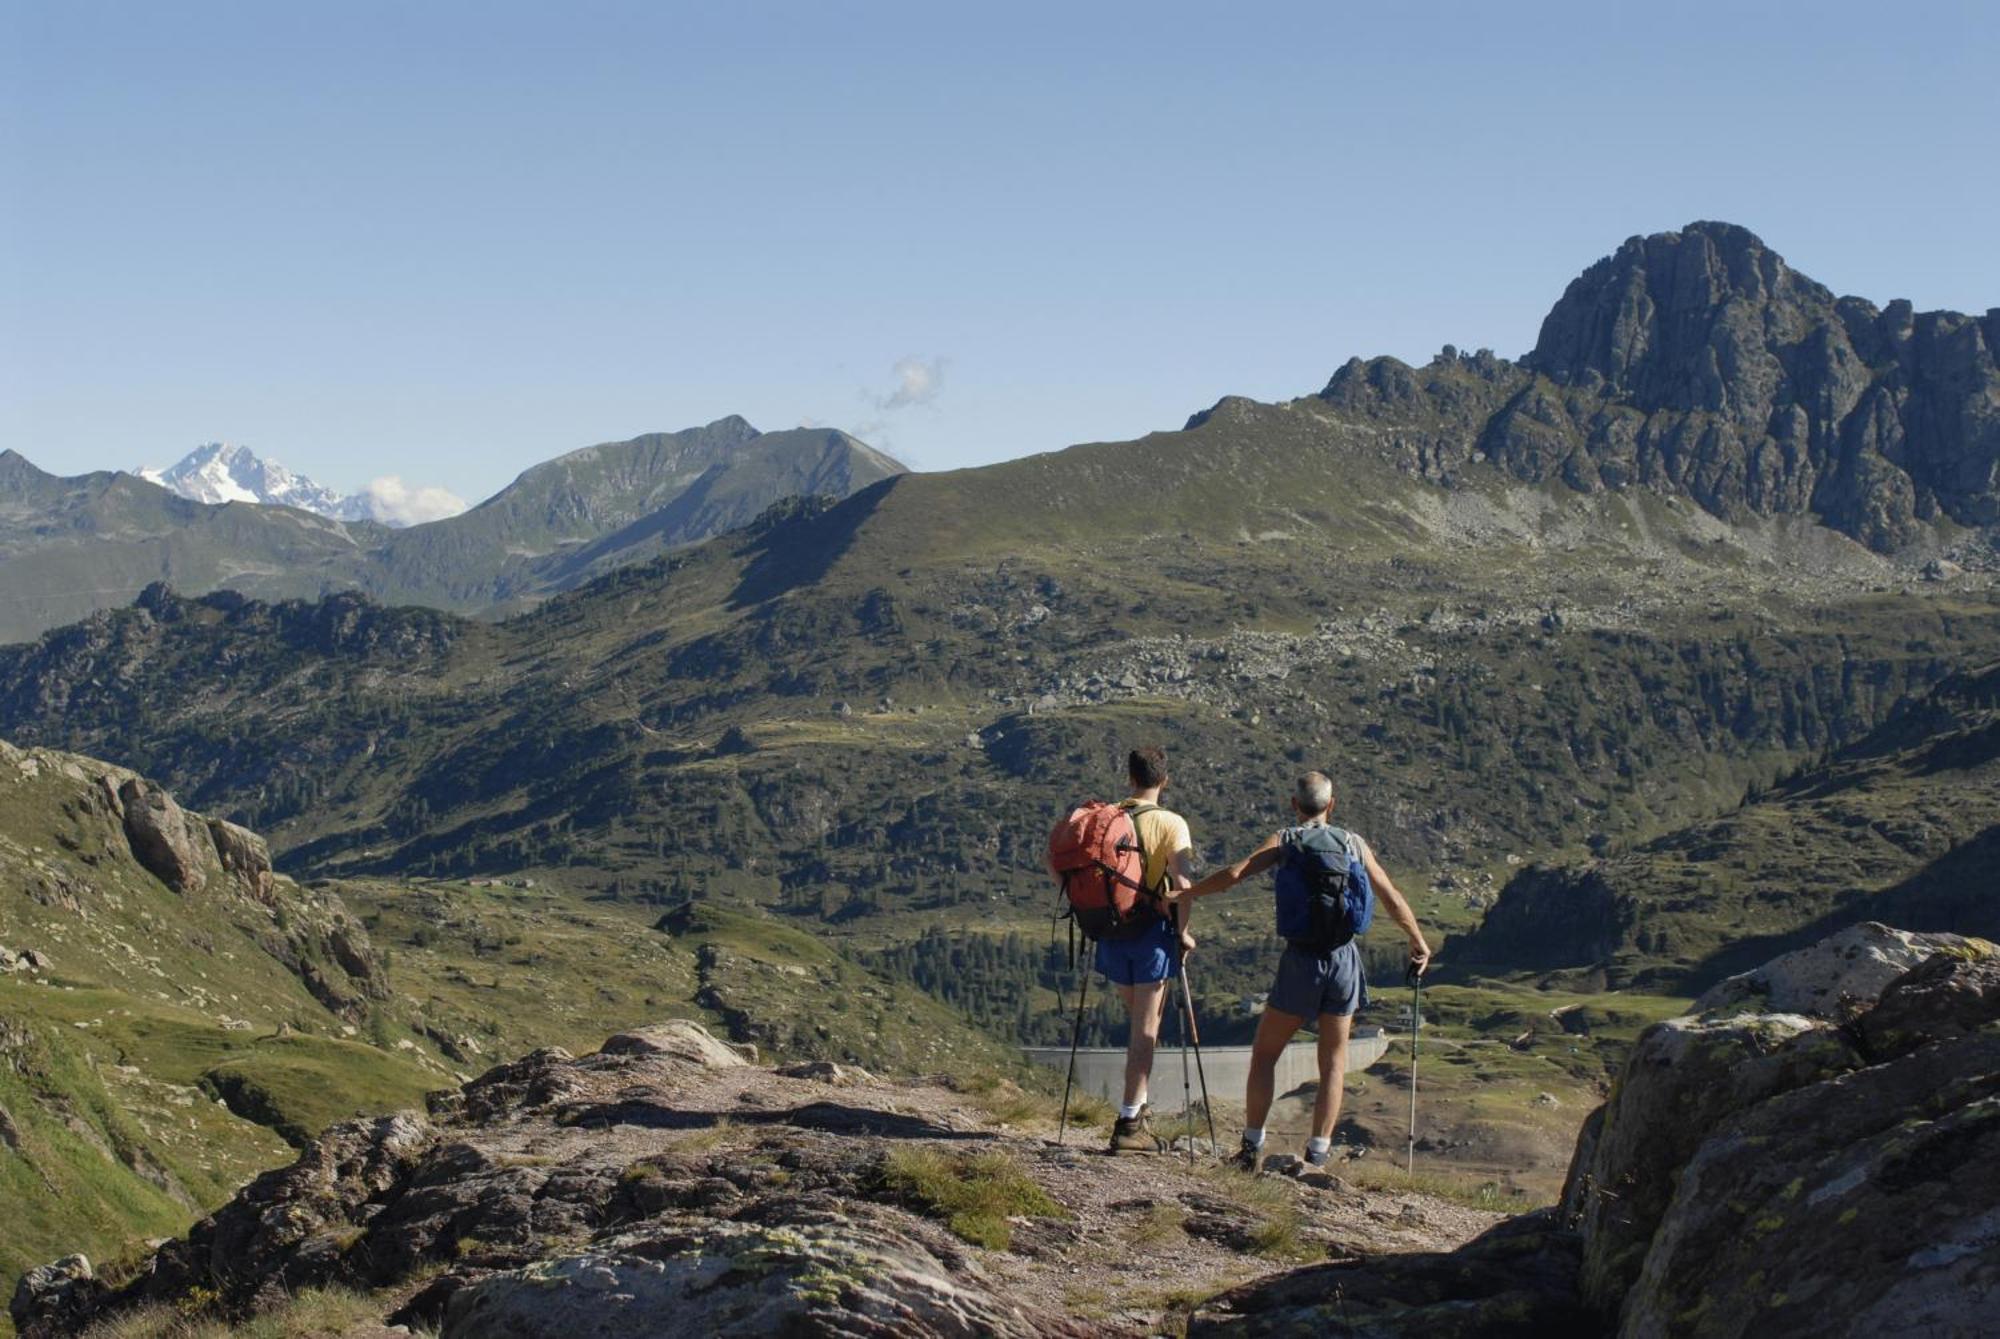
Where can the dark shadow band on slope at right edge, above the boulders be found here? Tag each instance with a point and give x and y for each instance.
(1951, 894)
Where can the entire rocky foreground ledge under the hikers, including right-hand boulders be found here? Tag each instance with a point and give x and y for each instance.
(1817, 1152)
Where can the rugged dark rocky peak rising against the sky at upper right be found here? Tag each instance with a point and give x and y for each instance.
(1699, 359)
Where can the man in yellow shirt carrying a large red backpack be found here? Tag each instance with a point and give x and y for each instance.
(1117, 866)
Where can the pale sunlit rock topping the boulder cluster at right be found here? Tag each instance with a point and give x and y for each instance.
(1831, 978)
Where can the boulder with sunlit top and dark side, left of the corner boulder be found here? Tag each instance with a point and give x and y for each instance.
(1683, 1080)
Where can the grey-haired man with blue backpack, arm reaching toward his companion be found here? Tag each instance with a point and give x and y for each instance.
(1327, 882)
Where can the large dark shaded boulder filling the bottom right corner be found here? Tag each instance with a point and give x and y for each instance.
(1867, 1204)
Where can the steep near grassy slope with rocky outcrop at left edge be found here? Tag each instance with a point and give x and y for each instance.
(171, 1014)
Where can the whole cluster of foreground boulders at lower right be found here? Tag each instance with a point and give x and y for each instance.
(1807, 1174)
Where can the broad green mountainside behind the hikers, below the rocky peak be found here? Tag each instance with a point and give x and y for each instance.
(857, 718)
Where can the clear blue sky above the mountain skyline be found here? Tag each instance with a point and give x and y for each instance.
(447, 241)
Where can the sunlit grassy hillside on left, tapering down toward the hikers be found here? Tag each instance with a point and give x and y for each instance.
(175, 1016)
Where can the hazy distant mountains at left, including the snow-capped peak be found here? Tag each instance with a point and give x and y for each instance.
(223, 519)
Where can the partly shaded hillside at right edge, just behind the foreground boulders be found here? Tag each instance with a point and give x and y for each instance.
(1901, 826)
